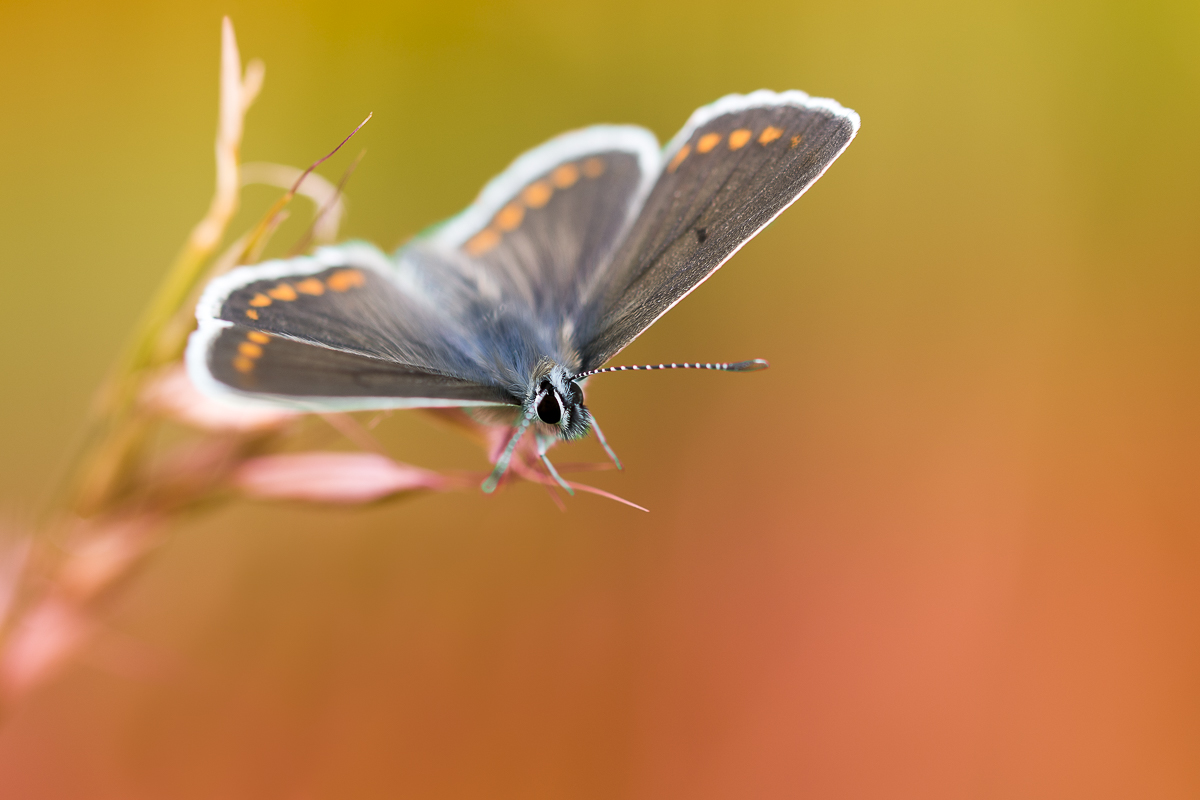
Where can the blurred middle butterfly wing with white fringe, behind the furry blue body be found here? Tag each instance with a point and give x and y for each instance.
(515, 263)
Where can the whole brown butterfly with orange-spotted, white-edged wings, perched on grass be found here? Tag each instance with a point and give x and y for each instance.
(562, 261)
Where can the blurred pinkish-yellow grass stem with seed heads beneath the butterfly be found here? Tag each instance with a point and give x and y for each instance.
(130, 482)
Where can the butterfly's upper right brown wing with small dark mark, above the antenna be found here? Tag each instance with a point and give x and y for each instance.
(734, 169)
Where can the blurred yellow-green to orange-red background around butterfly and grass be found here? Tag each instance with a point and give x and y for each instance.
(946, 548)
